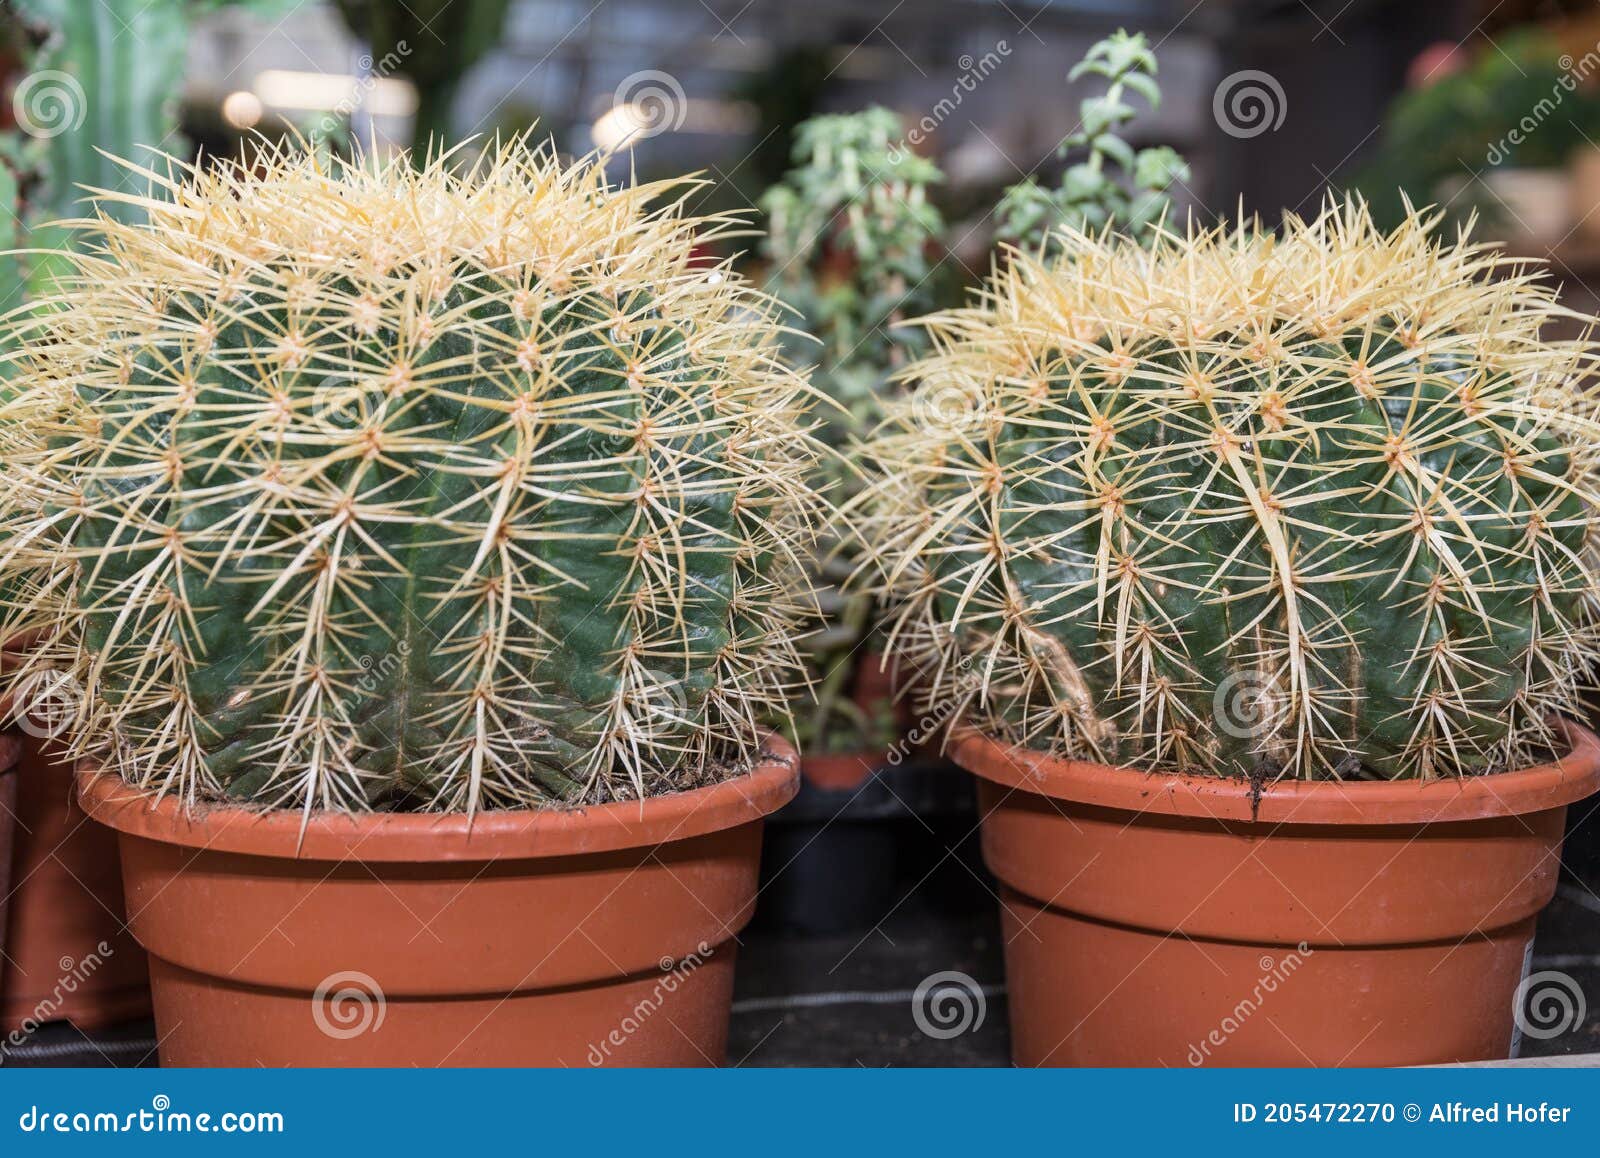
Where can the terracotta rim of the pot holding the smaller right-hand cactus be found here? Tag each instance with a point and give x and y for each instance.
(1537, 789)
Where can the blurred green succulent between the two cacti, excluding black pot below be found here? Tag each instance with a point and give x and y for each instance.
(849, 249)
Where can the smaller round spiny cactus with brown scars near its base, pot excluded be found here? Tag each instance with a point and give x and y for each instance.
(1311, 505)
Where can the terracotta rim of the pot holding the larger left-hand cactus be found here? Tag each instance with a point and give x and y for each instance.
(439, 837)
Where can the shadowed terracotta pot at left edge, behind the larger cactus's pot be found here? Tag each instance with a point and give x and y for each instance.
(68, 954)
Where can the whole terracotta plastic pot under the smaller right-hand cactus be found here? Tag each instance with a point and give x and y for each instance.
(1166, 920)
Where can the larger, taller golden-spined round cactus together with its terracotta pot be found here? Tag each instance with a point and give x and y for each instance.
(434, 541)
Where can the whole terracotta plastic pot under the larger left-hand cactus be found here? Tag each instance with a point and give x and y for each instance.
(599, 936)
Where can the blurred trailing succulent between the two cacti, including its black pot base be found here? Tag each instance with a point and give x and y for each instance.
(854, 250)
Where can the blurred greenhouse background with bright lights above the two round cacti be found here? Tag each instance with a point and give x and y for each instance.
(1270, 102)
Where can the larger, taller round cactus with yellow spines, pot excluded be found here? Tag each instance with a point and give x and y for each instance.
(425, 490)
